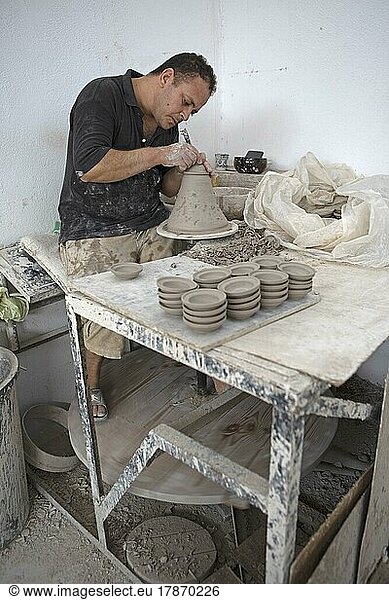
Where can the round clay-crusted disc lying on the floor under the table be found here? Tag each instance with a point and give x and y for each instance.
(170, 550)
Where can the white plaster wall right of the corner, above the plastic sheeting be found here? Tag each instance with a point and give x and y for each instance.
(300, 75)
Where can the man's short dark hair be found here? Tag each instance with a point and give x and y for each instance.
(187, 65)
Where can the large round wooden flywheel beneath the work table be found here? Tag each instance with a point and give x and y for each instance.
(144, 389)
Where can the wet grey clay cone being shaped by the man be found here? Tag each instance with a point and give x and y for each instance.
(196, 210)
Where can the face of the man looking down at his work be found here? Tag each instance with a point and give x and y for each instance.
(176, 103)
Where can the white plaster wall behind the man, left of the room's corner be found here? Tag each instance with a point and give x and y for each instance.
(50, 50)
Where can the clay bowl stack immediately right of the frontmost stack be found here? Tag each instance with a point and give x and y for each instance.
(243, 296)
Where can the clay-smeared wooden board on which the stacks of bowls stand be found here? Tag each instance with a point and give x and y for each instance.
(137, 299)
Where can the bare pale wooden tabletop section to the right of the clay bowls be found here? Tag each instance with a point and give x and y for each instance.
(333, 338)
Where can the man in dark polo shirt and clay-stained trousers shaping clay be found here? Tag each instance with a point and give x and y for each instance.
(122, 151)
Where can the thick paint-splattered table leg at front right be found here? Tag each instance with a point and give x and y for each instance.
(287, 439)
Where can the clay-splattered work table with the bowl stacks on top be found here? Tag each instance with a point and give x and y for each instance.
(289, 363)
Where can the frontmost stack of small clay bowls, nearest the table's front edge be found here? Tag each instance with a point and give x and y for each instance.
(204, 310)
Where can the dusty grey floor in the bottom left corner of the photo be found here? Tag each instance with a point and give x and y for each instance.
(52, 550)
